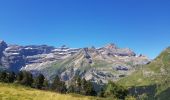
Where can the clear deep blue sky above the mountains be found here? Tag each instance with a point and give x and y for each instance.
(142, 25)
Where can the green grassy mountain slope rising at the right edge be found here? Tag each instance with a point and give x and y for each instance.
(156, 73)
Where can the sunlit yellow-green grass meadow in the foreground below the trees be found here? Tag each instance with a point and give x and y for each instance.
(17, 92)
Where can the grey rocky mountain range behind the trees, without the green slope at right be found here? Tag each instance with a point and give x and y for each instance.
(96, 64)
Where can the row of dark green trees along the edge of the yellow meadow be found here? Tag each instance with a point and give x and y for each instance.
(77, 85)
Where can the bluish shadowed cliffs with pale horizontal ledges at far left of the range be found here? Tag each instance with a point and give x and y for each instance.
(14, 57)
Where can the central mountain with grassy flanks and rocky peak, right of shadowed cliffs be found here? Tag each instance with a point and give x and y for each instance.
(98, 65)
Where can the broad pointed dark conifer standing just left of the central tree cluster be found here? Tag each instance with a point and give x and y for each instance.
(58, 85)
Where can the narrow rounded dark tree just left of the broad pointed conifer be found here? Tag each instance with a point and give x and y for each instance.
(39, 81)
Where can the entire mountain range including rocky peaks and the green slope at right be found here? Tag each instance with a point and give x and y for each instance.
(146, 79)
